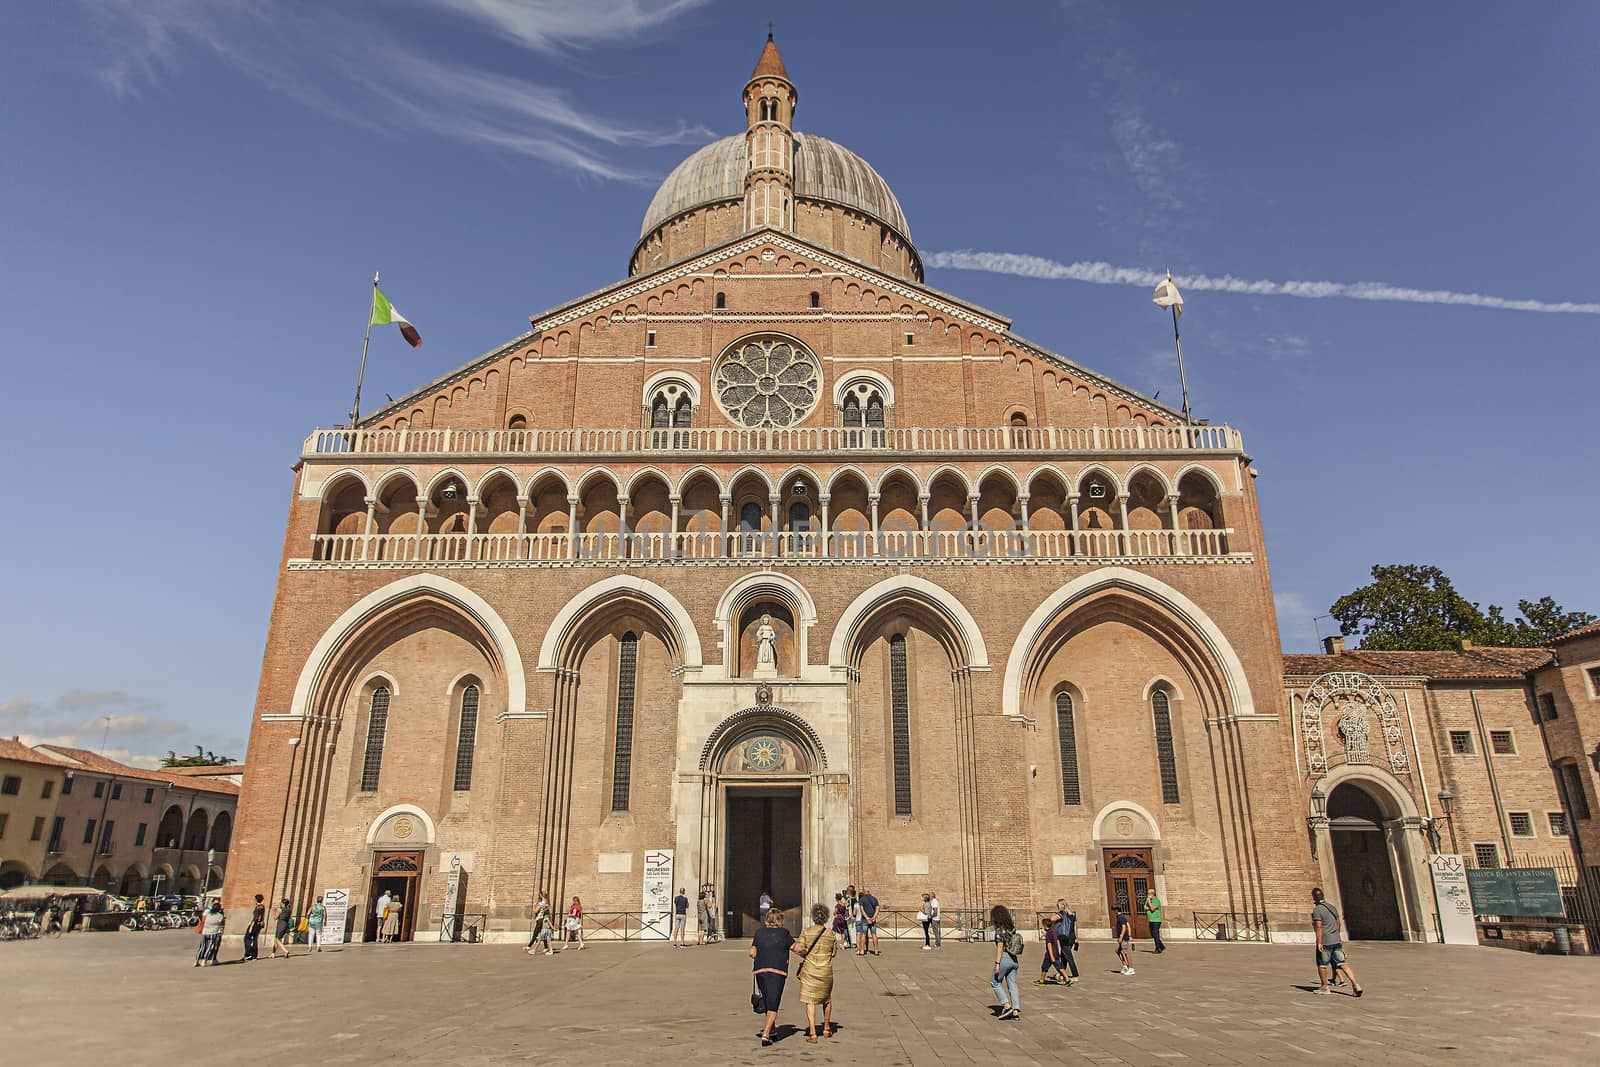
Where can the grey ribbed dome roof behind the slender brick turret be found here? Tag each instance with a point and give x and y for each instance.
(823, 172)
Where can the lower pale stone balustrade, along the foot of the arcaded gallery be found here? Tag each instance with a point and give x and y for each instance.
(679, 548)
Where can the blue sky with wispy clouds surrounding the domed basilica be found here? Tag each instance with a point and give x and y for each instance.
(196, 193)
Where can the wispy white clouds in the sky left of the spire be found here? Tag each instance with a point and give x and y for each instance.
(356, 70)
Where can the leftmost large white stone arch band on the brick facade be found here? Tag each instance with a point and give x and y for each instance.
(394, 597)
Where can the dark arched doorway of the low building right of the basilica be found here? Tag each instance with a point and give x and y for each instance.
(1366, 866)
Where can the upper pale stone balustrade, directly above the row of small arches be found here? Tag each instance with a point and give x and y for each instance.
(748, 442)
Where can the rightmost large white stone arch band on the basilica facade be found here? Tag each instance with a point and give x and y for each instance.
(1206, 633)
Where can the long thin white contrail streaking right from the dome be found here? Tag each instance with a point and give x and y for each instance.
(1097, 273)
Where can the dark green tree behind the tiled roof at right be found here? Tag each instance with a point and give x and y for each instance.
(1417, 607)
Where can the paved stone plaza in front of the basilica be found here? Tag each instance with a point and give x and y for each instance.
(135, 999)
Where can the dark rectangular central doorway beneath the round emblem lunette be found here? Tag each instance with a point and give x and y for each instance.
(764, 834)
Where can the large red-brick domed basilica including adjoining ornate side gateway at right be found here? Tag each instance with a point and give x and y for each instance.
(777, 561)
